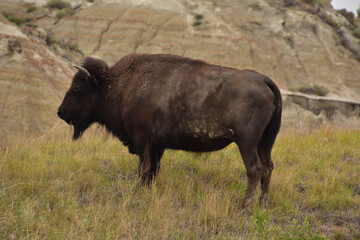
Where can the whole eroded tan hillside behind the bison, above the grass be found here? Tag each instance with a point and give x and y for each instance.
(306, 47)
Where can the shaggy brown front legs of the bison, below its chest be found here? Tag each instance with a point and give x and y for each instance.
(149, 165)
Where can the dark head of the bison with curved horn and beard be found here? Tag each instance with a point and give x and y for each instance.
(82, 99)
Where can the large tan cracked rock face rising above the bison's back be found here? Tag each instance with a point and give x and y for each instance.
(295, 48)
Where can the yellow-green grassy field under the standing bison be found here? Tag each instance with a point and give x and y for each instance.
(53, 188)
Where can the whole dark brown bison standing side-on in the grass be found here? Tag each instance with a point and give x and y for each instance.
(153, 102)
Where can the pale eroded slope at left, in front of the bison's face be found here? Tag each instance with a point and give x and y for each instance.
(33, 81)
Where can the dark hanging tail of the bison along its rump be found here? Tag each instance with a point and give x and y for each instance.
(273, 127)
